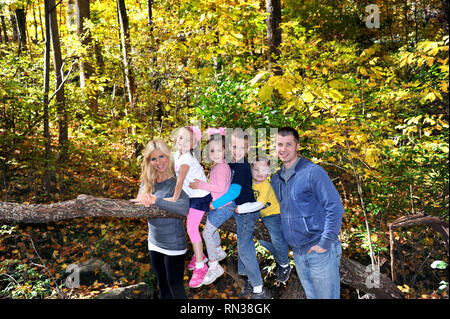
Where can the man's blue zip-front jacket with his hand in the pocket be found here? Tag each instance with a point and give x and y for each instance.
(311, 208)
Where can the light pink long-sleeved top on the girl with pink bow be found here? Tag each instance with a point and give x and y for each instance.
(219, 180)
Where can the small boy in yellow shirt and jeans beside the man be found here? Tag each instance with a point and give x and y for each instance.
(269, 207)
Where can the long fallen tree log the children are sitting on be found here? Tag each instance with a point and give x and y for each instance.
(352, 273)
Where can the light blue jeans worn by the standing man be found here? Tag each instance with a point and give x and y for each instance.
(319, 272)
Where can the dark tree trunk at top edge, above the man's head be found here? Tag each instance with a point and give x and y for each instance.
(273, 20)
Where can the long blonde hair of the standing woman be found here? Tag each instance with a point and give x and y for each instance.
(148, 173)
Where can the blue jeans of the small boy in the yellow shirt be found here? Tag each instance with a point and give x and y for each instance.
(278, 246)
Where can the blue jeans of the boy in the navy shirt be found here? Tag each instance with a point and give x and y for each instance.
(248, 263)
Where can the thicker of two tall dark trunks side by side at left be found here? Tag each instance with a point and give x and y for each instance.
(63, 141)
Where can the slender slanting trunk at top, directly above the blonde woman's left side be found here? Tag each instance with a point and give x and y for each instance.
(125, 40)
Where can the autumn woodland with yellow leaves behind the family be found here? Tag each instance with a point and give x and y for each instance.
(86, 86)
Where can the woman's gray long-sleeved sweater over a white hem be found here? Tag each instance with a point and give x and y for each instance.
(168, 233)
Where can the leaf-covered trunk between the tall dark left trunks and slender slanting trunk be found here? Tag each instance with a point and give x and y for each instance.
(86, 69)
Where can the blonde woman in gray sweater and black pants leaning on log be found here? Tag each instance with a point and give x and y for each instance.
(166, 236)
